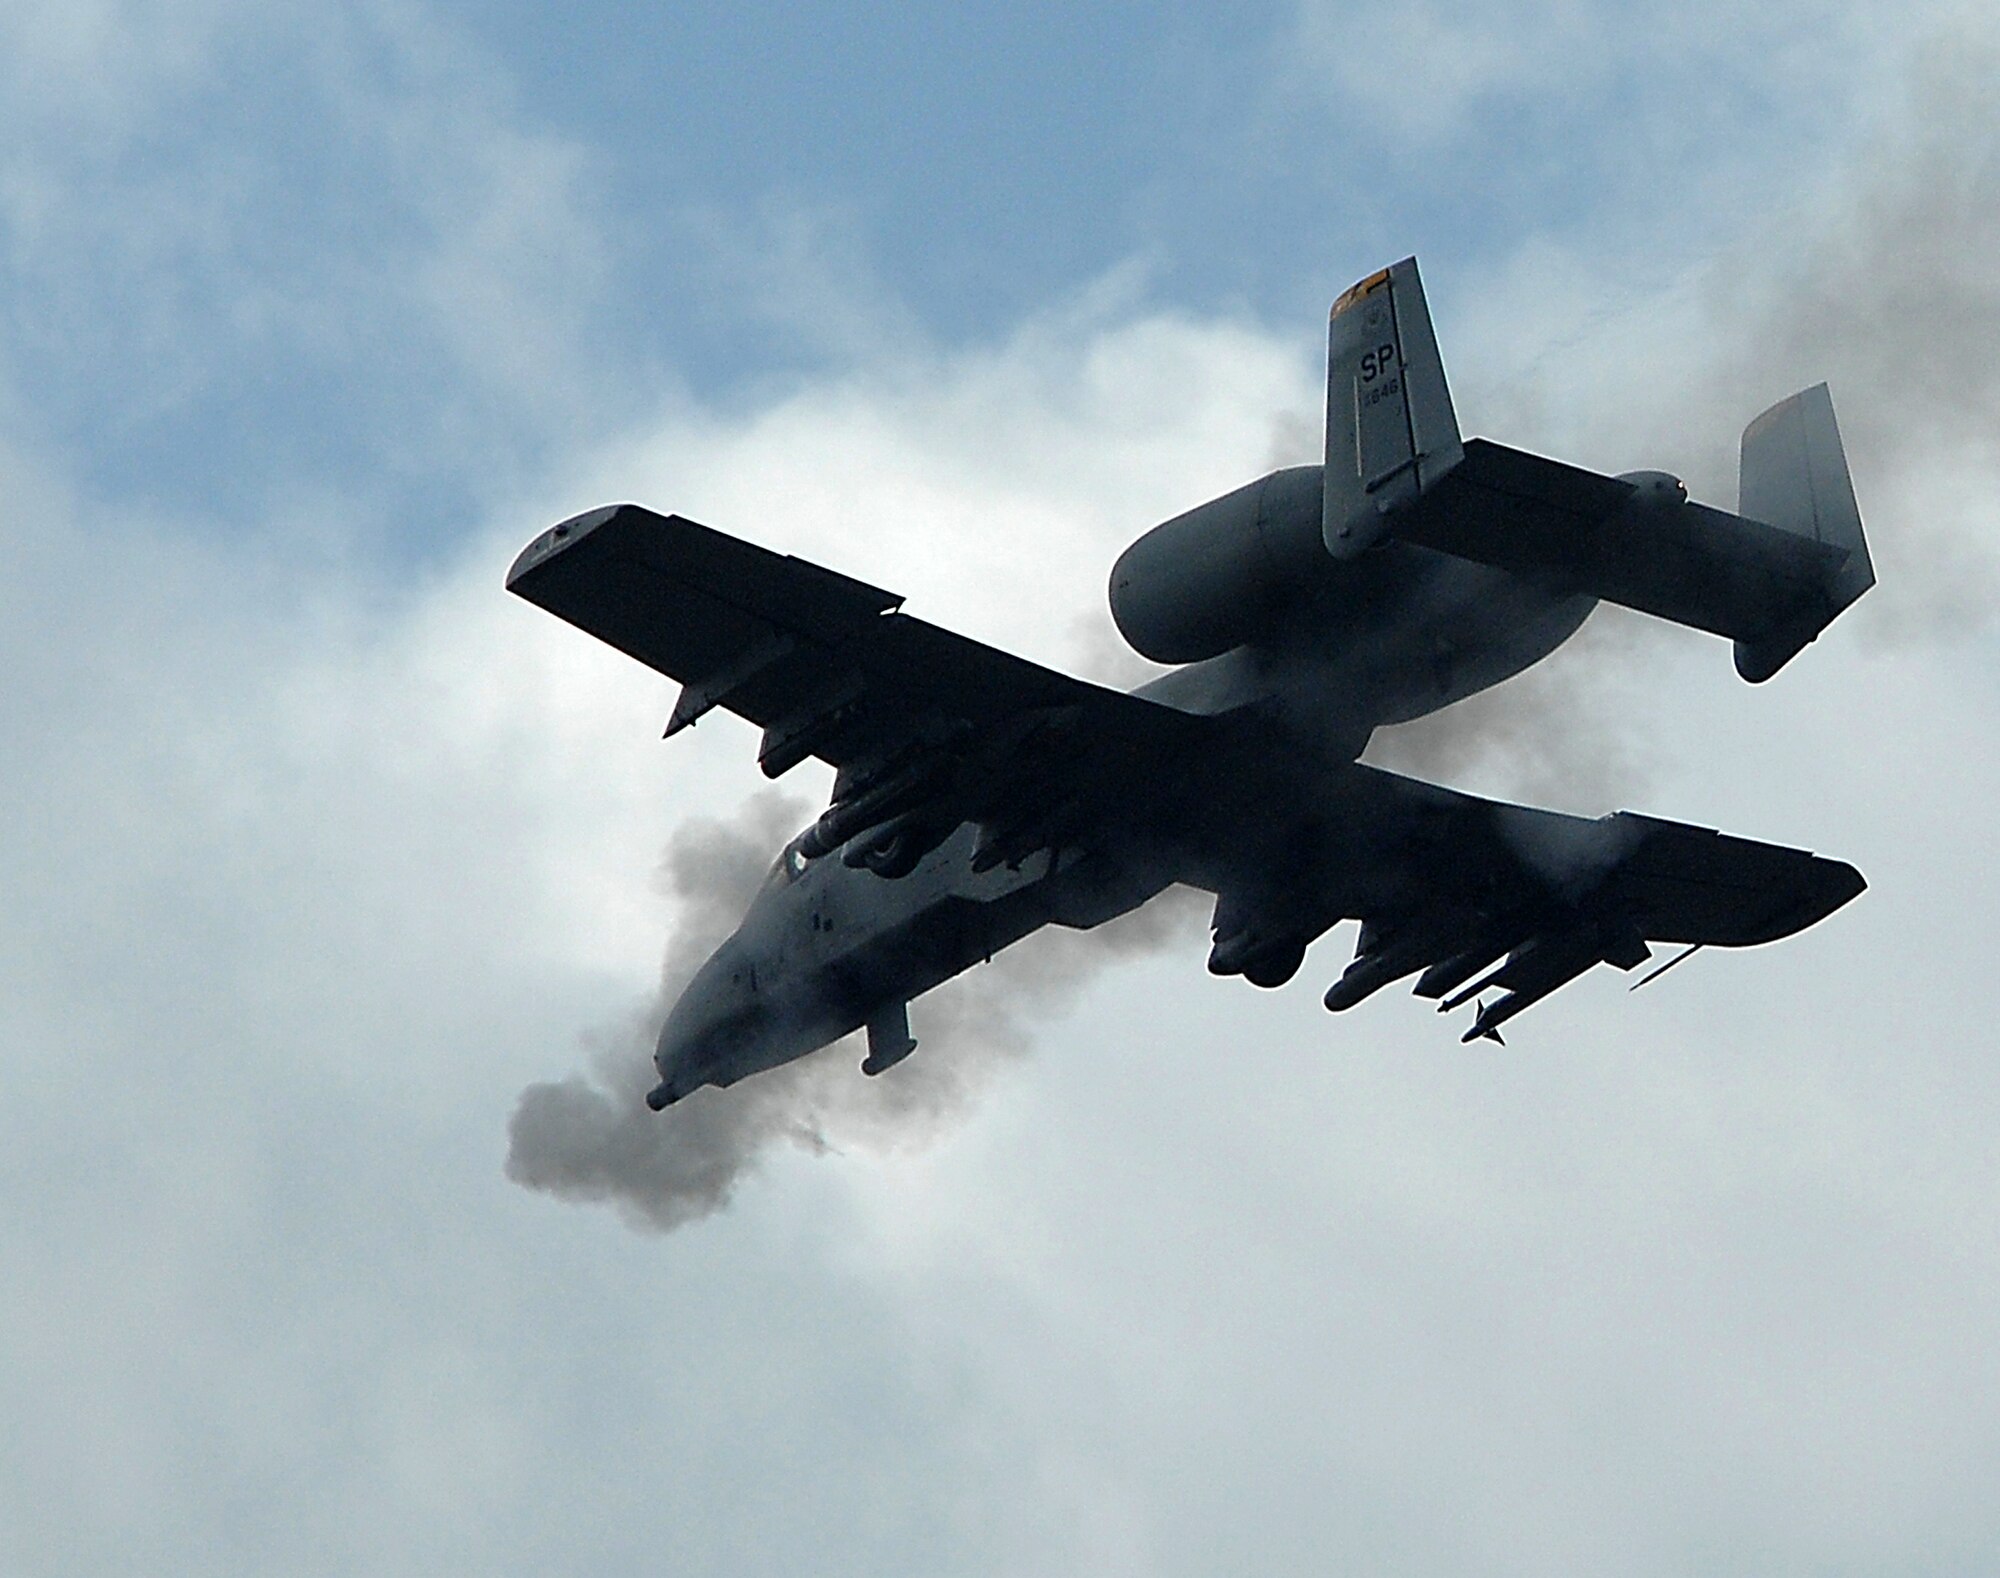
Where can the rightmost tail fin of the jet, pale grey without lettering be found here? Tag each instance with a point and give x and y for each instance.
(1795, 477)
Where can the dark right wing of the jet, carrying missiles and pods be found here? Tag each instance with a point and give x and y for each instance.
(1483, 895)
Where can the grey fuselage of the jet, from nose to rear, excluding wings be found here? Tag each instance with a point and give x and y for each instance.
(829, 949)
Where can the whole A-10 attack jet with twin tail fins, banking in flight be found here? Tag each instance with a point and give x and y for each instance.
(981, 797)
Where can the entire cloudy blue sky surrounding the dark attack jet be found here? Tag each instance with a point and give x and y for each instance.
(325, 861)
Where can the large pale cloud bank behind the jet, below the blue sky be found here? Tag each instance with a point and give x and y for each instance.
(309, 871)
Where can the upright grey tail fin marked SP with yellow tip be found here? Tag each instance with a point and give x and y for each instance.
(1391, 429)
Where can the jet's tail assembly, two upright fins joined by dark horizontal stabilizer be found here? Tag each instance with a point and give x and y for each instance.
(1771, 579)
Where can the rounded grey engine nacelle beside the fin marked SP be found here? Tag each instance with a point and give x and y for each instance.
(1223, 573)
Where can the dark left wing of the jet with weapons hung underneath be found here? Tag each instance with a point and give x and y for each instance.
(927, 729)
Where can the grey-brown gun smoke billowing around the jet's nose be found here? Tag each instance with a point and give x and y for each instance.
(591, 1137)
